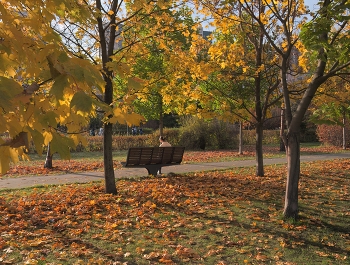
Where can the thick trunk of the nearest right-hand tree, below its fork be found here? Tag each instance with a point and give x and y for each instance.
(293, 174)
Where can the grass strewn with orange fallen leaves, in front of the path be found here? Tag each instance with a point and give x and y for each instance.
(220, 217)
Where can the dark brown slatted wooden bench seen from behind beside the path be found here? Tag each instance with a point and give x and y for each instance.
(154, 158)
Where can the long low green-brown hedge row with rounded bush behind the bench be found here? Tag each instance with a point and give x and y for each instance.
(193, 138)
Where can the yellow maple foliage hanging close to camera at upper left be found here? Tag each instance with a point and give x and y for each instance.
(43, 85)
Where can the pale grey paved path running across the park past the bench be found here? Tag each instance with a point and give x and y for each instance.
(31, 181)
